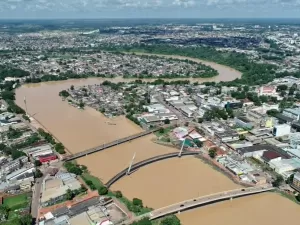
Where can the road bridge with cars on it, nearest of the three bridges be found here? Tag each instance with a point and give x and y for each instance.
(205, 200)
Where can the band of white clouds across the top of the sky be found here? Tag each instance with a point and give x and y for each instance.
(96, 5)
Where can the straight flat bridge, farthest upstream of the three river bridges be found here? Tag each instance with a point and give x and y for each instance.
(109, 145)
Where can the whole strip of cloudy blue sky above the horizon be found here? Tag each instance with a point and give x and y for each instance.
(149, 8)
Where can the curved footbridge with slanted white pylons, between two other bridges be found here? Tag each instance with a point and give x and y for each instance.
(146, 162)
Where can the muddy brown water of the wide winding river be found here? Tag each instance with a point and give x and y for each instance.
(158, 184)
